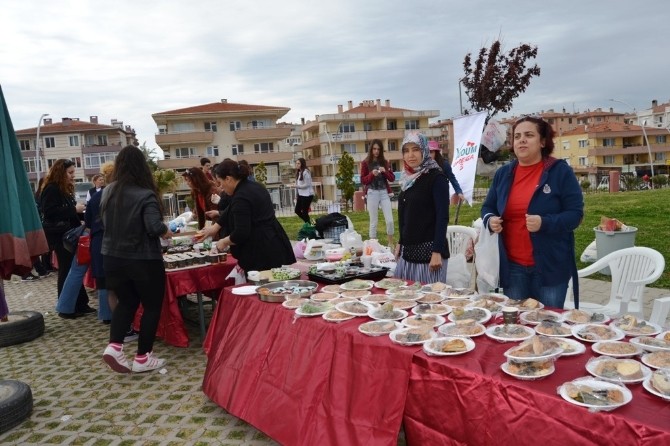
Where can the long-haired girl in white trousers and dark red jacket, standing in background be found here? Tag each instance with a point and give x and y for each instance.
(376, 174)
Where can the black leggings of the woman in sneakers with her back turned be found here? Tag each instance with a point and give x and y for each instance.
(135, 282)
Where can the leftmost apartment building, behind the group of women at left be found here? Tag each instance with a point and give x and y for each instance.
(88, 143)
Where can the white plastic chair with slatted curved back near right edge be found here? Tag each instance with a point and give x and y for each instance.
(631, 269)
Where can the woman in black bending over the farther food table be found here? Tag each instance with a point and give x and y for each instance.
(255, 237)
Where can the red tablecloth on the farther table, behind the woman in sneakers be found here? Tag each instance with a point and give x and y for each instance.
(179, 283)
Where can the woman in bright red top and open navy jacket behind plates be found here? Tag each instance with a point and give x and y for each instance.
(540, 202)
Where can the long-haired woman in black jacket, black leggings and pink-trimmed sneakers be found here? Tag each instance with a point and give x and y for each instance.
(132, 216)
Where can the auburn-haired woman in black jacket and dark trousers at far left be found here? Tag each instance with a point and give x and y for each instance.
(59, 214)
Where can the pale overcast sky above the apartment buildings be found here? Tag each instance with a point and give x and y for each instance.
(128, 59)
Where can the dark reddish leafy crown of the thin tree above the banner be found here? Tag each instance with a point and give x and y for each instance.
(495, 78)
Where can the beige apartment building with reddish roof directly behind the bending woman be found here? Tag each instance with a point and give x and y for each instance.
(228, 130)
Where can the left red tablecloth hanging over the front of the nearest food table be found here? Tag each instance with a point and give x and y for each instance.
(305, 381)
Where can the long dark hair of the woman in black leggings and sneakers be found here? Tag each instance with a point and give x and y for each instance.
(131, 170)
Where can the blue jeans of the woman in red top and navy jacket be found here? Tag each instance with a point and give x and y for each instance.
(525, 281)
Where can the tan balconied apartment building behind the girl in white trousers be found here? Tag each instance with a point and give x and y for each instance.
(350, 130)
